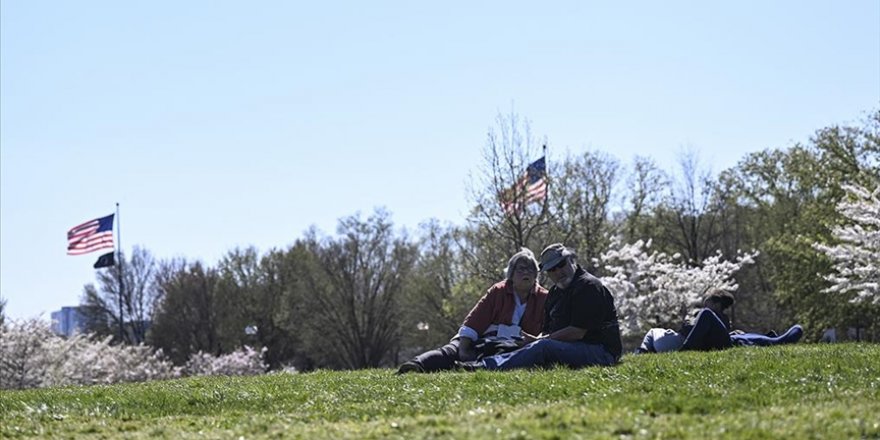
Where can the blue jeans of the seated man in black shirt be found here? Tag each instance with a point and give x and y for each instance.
(548, 352)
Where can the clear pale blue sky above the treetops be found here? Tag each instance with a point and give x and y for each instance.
(220, 124)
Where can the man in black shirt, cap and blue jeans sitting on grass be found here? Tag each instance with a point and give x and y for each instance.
(580, 321)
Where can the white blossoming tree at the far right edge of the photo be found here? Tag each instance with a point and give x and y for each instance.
(857, 256)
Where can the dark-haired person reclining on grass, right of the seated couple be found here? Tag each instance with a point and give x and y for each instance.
(711, 331)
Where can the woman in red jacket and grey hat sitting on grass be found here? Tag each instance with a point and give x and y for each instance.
(510, 308)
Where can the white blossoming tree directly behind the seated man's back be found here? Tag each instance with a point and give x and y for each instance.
(658, 290)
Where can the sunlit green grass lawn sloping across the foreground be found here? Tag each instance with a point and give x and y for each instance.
(800, 391)
